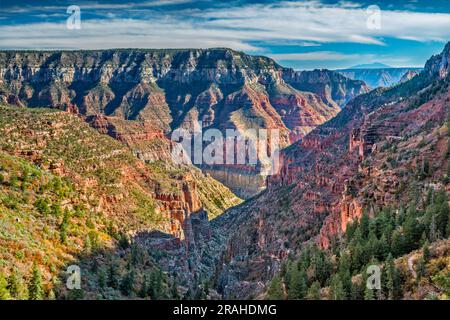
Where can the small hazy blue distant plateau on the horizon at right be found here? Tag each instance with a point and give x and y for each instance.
(381, 77)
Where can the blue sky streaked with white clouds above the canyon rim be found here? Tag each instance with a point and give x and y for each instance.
(299, 34)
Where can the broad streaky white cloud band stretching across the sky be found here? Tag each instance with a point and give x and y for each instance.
(236, 27)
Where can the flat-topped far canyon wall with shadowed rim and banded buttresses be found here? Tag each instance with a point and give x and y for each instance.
(170, 89)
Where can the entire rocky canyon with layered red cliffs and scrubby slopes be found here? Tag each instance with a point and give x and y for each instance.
(105, 130)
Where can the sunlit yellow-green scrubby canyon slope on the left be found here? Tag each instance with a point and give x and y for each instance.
(139, 195)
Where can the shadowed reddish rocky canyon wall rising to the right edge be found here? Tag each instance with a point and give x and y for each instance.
(364, 158)
